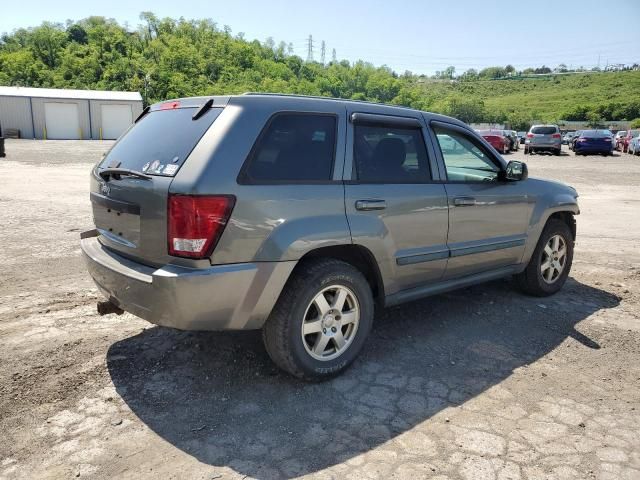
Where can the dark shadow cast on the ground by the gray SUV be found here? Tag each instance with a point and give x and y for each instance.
(217, 396)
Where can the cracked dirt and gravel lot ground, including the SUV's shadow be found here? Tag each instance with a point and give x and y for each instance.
(482, 383)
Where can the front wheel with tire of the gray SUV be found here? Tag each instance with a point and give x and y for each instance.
(551, 261)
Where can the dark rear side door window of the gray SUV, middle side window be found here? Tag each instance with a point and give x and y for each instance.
(390, 155)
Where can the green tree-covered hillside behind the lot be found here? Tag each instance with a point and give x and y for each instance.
(167, 58)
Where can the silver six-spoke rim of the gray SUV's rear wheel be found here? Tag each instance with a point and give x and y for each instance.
(330, 323)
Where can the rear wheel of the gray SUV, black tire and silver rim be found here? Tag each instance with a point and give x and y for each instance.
(321, 320)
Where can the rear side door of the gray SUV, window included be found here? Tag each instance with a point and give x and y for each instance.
(394, 203)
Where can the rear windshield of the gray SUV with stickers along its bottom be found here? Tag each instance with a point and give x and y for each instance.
(161, 141)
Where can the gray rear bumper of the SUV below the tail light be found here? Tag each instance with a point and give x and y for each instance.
(224, 297)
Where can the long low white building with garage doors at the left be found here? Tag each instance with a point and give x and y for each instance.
(58, 114)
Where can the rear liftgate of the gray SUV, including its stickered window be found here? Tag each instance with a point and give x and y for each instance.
(131, 213)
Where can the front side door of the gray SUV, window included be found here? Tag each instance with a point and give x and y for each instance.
(488, 217)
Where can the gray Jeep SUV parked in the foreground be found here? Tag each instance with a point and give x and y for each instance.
(300, 215)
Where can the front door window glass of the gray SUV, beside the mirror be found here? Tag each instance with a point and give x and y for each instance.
(465, 159)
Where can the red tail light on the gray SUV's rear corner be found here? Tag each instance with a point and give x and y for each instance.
(195, 223)
